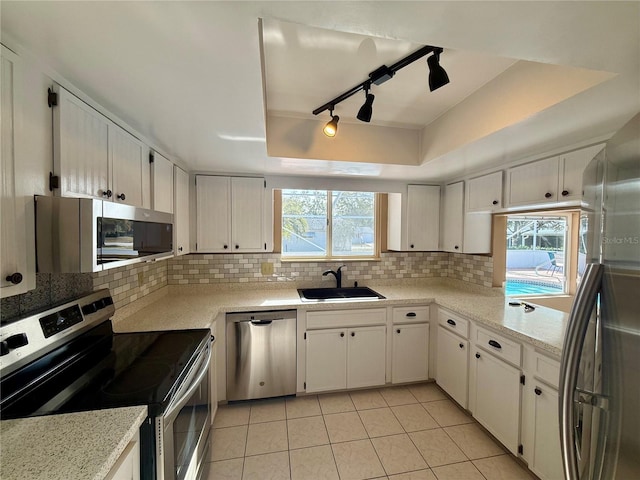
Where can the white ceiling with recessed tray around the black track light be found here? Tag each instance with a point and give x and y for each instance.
(194, 78)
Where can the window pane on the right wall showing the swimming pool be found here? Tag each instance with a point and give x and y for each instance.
(536, 255)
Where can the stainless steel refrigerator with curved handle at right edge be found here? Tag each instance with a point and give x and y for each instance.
(600, 372)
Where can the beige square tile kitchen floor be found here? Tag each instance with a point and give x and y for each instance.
(398, 433)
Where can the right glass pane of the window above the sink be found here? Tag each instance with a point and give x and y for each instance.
(353, 224)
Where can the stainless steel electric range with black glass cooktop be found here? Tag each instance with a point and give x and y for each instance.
(68, 359)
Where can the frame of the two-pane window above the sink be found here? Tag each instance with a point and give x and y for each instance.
(379, 218)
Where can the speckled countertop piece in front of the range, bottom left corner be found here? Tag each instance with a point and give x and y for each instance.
(82, 445)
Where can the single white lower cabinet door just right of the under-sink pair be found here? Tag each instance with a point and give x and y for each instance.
(410, 353)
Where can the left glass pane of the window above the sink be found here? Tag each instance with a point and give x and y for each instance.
(304, 223)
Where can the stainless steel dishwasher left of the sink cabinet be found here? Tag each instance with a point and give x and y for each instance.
(261, 354)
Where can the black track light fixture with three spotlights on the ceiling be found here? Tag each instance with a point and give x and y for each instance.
(437, 78)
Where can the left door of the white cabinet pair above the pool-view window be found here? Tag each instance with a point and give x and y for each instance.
(533, 183)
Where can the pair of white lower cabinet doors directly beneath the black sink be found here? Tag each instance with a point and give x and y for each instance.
(341, 358)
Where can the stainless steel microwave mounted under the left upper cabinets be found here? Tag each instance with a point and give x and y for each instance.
(75, 235)
